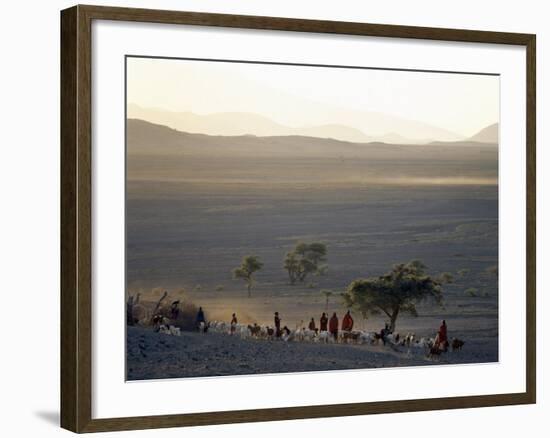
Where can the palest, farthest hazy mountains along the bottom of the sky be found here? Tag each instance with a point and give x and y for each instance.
(239, 123)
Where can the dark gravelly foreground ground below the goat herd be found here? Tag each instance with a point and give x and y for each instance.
(153, 355)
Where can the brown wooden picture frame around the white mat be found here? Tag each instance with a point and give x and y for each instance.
(76, 322)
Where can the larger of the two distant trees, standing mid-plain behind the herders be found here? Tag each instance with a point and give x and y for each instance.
(305, 259)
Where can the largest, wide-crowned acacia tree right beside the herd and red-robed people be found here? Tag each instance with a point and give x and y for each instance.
(398, 291)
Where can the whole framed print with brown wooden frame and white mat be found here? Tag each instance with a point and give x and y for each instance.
(270, 218)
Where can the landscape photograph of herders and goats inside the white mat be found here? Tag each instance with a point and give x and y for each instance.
(285, 218)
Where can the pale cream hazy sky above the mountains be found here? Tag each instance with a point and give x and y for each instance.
(307, 96)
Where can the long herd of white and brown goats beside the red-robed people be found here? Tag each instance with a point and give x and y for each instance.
(247, 331)
